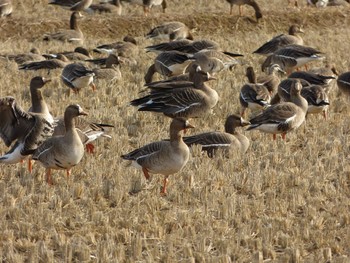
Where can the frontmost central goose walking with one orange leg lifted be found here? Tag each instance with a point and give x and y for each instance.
(163, 157)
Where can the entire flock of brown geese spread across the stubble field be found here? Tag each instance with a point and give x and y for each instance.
(187, 66)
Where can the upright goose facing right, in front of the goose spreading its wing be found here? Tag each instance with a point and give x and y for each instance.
(62, 152)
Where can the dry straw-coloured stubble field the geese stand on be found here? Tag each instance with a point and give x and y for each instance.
(287, 201)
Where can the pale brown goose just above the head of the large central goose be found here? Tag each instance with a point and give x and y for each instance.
(214, 61)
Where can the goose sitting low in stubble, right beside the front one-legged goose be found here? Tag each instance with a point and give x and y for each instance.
(230, 140)
